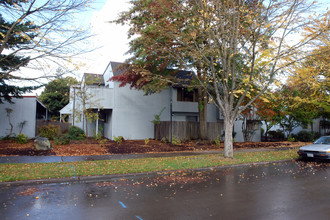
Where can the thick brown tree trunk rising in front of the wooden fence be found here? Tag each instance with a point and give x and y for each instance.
(202, 111)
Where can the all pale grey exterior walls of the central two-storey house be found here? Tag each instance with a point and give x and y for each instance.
(130, 113)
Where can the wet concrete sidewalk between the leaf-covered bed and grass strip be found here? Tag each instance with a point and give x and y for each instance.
(54, 159)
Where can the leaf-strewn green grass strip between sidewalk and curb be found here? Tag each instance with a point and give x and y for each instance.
(29, 171)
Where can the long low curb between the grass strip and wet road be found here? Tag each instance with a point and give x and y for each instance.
(86, 179)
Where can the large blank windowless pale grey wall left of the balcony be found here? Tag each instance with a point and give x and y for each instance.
(133, 112)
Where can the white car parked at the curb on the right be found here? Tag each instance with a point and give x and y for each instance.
(319, 149)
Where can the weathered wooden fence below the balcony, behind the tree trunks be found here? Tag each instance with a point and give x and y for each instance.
(186, 130)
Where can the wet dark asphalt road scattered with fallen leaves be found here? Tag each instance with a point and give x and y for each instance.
(288, 190)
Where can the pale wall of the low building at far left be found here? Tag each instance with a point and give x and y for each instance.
(23, 110)
